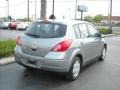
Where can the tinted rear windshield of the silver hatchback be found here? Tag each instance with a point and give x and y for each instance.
(46, 30)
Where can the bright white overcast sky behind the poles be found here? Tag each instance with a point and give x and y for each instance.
(66, 8)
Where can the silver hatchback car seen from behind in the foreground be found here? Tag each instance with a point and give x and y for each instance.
(60, 46)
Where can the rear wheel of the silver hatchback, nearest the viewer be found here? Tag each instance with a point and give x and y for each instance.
(73, 74)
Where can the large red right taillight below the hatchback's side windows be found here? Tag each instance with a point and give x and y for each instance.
(62, 46)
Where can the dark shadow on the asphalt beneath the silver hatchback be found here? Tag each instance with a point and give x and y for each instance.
(38, 78)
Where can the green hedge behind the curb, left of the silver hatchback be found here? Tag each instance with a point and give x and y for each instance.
(7, 48)
